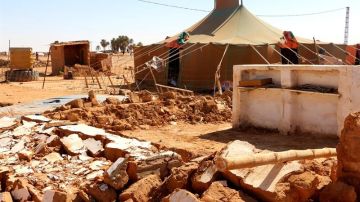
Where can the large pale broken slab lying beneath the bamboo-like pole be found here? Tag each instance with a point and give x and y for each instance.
(260, 180)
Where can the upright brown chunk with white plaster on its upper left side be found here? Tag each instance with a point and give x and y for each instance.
(116, 176)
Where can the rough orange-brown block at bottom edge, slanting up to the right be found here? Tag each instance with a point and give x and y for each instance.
(142, 190)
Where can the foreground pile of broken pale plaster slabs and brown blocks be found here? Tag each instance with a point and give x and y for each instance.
(47, 160)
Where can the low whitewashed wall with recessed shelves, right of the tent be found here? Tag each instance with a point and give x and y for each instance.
(296, 111)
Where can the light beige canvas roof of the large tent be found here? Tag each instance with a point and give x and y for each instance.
(235, 25)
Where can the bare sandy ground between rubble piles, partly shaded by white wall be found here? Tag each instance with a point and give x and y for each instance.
(204, 139)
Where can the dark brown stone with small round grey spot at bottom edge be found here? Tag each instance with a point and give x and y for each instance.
(102, 192)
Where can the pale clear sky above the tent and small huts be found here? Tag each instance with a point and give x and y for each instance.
(37, 23)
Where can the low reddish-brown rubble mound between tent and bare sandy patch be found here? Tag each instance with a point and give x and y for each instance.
(144, 110)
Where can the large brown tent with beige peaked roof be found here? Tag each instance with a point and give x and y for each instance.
(231, 27)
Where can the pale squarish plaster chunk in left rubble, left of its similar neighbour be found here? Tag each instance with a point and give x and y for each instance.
(73, 144)
